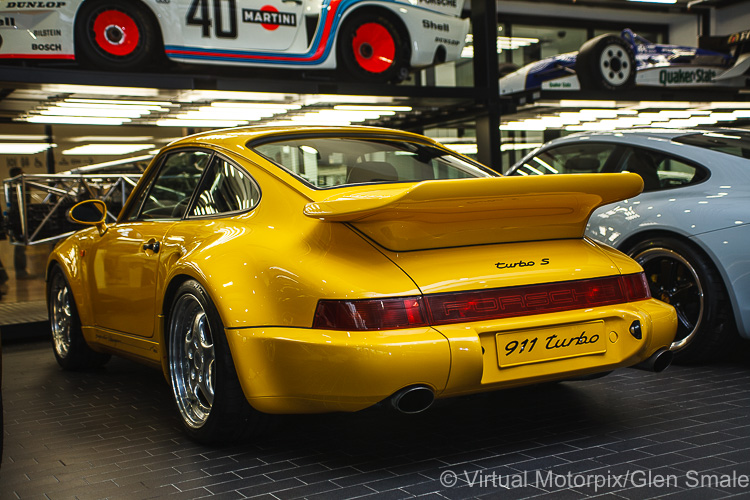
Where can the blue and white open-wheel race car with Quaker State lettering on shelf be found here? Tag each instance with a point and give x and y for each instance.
(622, 61)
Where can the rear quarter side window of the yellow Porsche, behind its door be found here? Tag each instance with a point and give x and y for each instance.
(225, 188)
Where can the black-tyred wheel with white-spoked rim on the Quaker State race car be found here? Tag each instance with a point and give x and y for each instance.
(606, 62)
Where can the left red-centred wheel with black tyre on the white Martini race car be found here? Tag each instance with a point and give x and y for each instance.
(116, 36)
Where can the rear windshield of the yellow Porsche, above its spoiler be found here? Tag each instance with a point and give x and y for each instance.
(326, 162)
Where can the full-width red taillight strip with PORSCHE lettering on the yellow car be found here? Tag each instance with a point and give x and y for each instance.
(458, 307)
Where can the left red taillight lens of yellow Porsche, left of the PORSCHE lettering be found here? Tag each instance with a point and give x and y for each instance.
(370, 314)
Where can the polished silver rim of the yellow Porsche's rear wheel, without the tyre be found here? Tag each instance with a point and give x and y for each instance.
(192, 360)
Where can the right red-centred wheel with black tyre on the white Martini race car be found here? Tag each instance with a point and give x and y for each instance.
(373, 47)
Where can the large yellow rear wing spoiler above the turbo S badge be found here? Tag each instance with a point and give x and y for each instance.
(461, 212)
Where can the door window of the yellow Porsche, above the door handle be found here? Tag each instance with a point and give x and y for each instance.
(169, 194)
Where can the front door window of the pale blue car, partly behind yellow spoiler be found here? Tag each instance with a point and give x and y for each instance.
(583, 158)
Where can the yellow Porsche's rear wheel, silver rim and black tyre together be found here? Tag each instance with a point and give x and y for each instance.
(204, 383)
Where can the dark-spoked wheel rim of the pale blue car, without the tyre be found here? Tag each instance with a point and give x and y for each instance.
(673, 280)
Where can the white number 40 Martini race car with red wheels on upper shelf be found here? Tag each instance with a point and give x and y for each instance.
(372, 39)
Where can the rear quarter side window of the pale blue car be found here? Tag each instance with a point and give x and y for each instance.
(660, 171)
